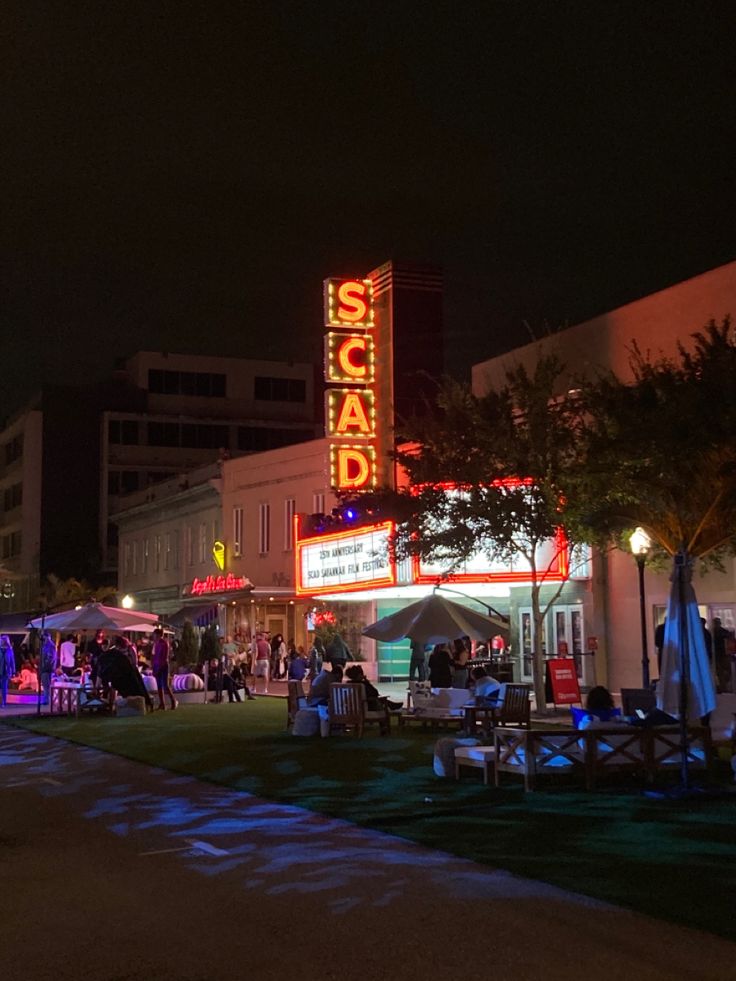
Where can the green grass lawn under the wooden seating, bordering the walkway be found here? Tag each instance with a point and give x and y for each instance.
(674, 860)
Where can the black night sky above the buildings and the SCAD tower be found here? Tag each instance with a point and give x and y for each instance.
(182, 176)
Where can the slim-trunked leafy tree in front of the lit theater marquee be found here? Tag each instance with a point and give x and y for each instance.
(492, 474)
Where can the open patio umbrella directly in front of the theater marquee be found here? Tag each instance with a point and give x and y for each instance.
(434, 620)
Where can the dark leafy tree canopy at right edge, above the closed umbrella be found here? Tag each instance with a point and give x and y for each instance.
(661, 449)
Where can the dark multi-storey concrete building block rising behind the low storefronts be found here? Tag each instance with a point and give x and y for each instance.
(69, 458)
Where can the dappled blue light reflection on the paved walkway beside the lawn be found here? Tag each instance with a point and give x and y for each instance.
(274, 848)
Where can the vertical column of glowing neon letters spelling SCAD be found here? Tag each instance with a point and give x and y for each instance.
(350, 372)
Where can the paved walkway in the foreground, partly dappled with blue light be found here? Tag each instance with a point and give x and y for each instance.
(116, 871)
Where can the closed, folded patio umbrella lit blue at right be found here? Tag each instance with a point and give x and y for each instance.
(685, 689)
